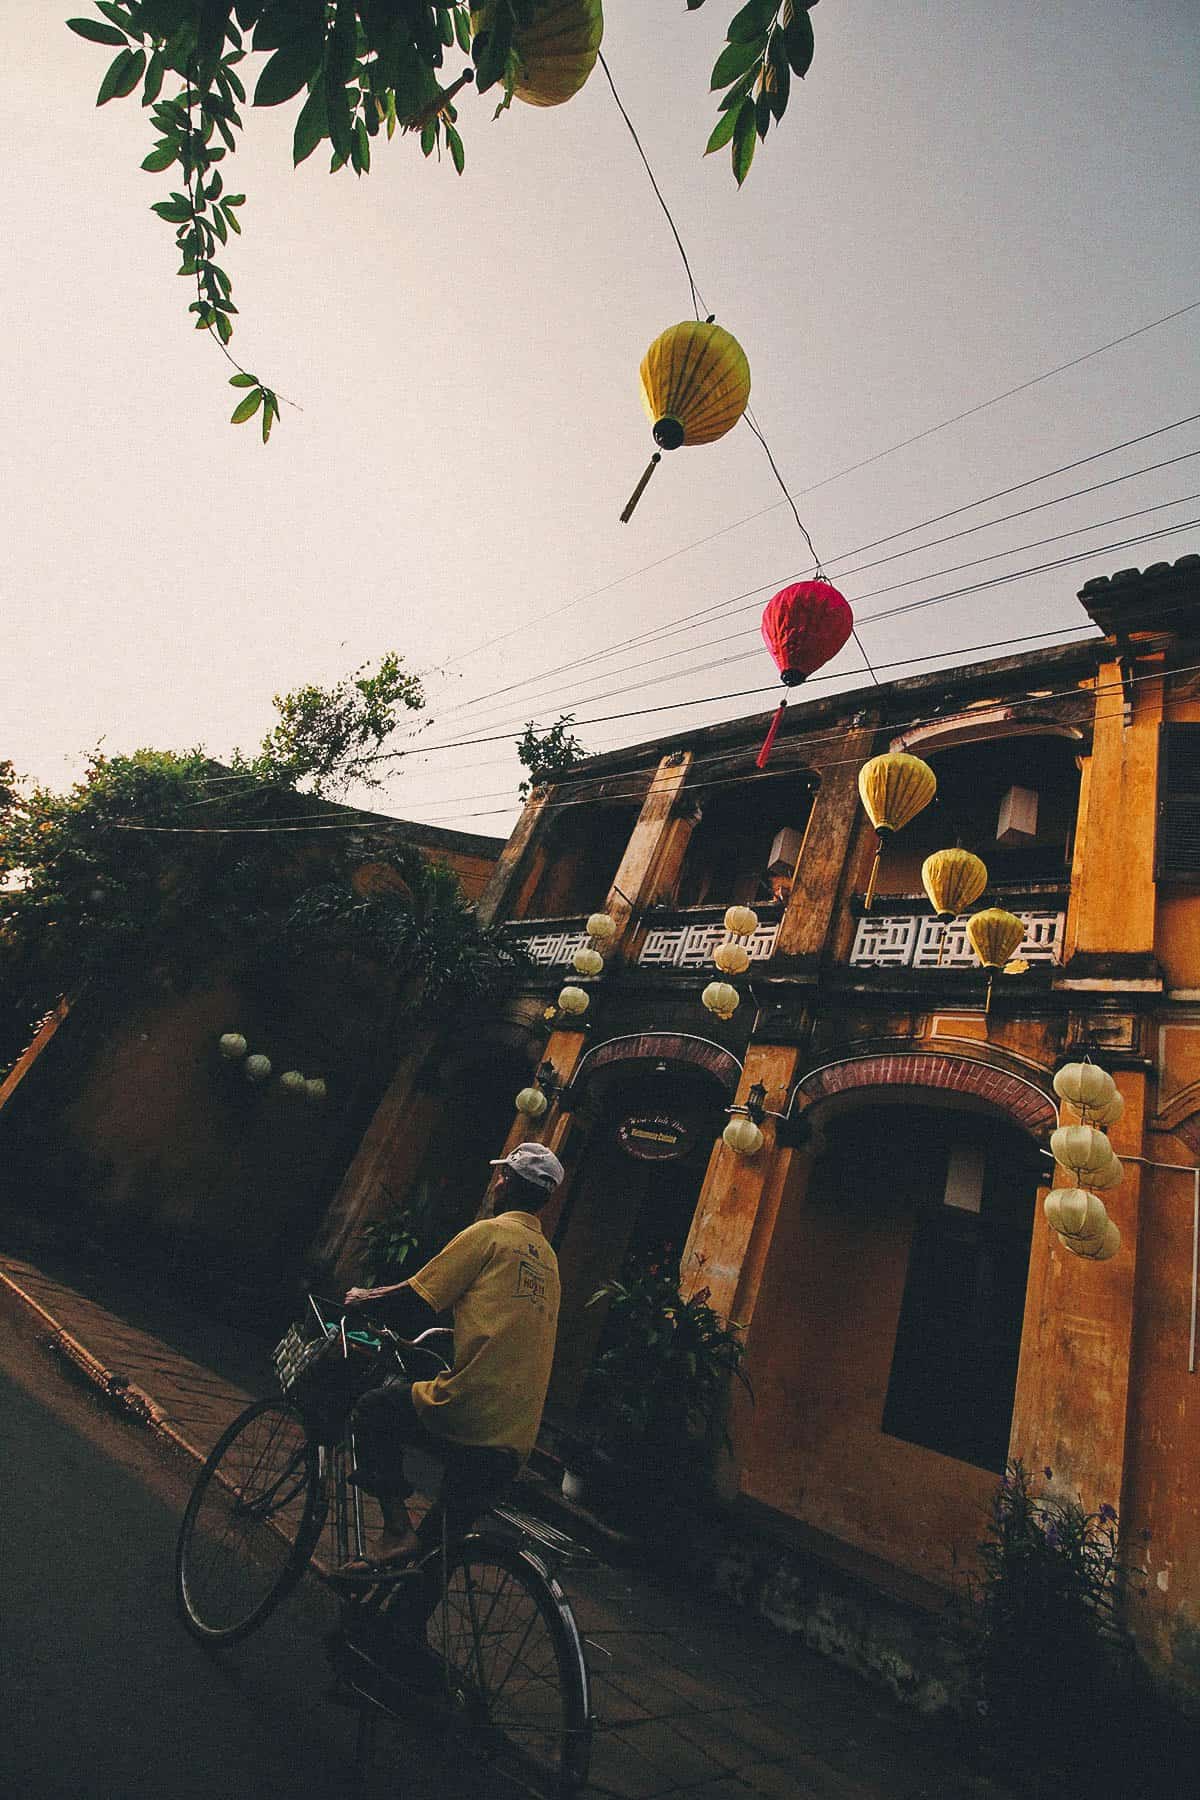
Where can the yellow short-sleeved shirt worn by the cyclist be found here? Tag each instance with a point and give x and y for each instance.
(501, 1279)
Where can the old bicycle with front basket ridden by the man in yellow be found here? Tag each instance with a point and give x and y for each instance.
(476, 1635)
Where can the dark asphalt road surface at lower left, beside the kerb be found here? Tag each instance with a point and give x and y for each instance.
(107, 1696)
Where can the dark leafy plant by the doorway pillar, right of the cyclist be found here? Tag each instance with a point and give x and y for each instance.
(658, 1392)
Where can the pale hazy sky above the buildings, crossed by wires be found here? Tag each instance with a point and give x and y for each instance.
(960, 199)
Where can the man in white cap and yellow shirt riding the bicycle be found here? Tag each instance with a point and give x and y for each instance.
(479, 1417)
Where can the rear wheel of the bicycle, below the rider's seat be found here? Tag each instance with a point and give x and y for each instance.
(506, 1635)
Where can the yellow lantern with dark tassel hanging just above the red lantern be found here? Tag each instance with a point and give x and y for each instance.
(695, 388)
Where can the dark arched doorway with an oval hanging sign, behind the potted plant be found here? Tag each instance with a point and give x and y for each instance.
(645, 1135)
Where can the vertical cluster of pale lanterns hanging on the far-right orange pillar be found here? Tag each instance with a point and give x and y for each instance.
(1079, 1214)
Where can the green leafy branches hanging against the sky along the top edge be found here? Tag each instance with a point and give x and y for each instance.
(361, 71)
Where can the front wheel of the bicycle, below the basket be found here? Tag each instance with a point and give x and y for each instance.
(251, 1524)
